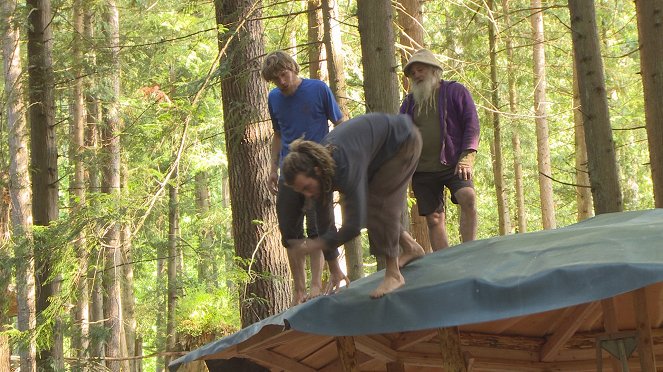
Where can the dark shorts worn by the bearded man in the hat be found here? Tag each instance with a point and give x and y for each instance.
(428, 188)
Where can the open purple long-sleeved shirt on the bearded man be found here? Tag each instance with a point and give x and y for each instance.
(460, 130)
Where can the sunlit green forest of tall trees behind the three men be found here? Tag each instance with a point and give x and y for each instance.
(136, 223)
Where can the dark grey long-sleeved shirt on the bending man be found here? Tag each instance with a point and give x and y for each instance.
(360, 147)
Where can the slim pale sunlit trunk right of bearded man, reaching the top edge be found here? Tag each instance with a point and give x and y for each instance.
(540, 103)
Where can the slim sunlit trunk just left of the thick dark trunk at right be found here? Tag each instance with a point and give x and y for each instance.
(583, 191)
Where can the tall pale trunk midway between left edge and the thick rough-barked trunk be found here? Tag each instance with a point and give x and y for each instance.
(111, 168)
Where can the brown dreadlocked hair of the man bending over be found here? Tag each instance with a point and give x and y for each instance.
(304, 158)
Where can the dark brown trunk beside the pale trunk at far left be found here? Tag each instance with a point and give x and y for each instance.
(43, 165)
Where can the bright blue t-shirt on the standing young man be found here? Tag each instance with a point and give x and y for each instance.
(306, 113)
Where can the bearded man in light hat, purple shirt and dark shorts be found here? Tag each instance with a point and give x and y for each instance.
(445, 113)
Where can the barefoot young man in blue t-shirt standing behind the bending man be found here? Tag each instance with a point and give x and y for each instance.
(298, 108)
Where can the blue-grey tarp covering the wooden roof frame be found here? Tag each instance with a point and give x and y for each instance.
(486, 280)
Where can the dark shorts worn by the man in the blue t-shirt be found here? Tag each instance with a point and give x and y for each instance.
(291, 207)
